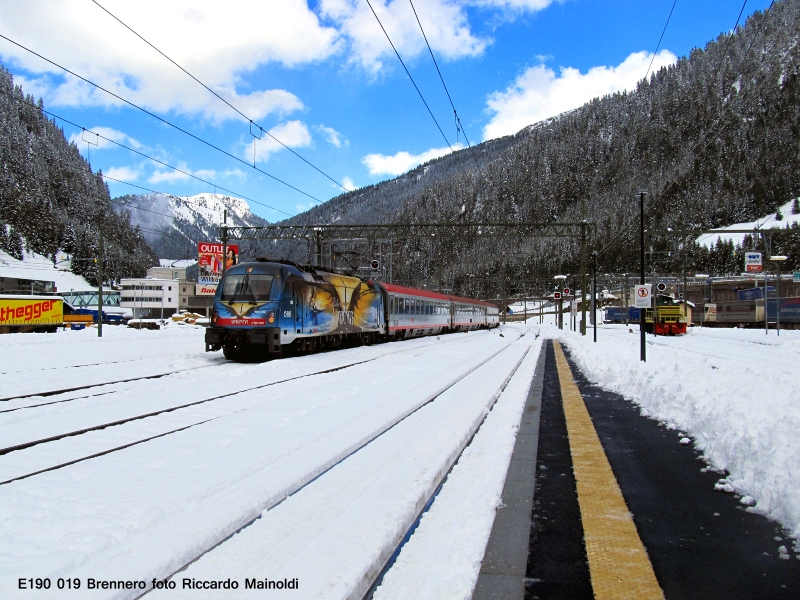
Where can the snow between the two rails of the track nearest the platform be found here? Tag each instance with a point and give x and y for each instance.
(370, 489)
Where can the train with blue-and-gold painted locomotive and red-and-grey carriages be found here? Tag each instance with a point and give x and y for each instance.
(266, 308)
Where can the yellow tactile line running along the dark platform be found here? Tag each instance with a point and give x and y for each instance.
(618, 562)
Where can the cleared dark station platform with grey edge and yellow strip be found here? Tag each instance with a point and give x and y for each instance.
(606, 503)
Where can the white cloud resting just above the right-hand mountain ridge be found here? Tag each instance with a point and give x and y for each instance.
(538, 93)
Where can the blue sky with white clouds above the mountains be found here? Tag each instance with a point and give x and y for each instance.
(322, 77)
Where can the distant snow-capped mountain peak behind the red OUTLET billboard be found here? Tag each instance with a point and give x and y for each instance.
(173, 225)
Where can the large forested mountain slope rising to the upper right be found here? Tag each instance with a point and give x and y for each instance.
(713, 140)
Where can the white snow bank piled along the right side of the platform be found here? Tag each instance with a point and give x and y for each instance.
(733, 391)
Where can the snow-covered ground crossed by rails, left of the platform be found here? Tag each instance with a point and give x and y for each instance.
(329, 458)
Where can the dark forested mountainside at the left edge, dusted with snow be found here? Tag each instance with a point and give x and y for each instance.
(51, 201)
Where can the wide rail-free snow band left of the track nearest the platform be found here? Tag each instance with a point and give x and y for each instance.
(159, 506)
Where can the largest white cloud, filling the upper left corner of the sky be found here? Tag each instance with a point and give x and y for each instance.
(219, 42)
